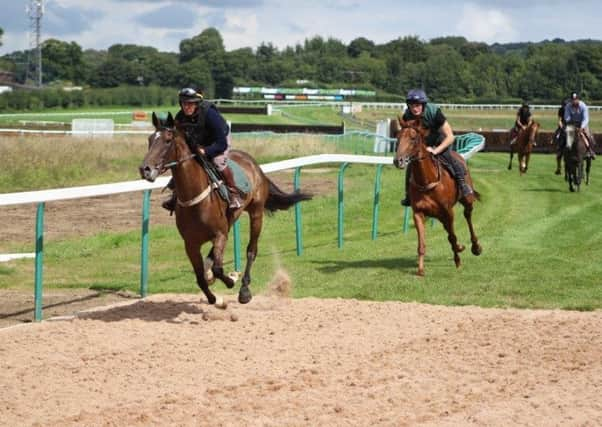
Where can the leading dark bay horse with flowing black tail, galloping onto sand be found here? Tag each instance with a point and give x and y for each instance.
(201, 214)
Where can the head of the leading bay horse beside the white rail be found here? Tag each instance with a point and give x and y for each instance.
(160, 148)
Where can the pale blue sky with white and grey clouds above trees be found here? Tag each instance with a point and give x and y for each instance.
(98, 24)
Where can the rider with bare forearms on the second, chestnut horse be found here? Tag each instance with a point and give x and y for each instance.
(439, 139)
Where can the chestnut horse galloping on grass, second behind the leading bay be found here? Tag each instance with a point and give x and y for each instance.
(433, 191)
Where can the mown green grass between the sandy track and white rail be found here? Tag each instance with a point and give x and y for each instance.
(541, 247)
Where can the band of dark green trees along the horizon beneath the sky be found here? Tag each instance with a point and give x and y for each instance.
(450, 69)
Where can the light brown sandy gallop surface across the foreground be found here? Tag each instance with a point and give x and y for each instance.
(173, 360)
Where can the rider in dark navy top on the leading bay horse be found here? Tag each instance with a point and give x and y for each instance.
(207, 134)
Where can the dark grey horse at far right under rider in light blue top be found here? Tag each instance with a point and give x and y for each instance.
(575, 158)
